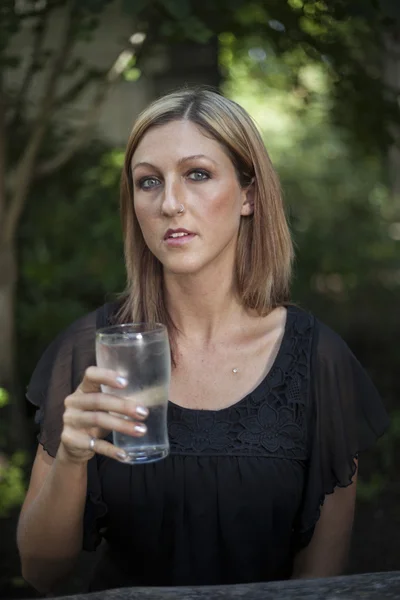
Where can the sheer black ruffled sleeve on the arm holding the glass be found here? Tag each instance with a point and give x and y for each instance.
(58, 373)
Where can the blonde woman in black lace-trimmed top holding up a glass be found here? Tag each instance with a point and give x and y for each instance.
(269, 408)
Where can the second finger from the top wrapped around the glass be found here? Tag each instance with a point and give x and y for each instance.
(107, 403)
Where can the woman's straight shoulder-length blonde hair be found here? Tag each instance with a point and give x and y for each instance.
(264, 246)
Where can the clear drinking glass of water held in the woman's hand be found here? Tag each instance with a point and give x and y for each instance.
(140, 352)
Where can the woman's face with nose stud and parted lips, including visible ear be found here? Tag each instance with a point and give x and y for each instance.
(175, 166)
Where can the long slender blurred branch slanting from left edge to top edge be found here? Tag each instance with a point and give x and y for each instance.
(24, 172)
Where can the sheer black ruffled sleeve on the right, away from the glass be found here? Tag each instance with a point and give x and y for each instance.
(347, 416)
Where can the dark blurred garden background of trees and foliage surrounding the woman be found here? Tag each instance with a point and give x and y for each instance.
(322, 80)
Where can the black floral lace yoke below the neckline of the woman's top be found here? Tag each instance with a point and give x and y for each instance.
(270, 421)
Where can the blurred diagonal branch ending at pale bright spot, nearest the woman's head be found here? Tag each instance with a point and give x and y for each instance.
(92, 115)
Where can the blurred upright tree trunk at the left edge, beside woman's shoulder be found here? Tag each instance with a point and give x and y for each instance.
(17, 430)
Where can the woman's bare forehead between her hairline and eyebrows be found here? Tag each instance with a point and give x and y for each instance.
(176, 140)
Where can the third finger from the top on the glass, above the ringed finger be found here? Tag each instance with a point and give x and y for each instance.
(79, 419)
